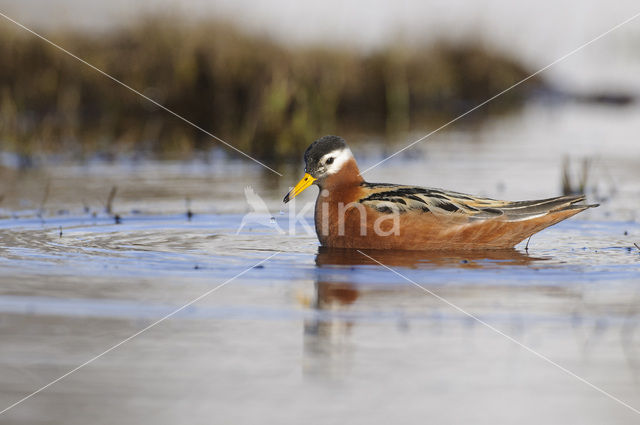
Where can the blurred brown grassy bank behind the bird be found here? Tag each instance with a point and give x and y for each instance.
(267, 99)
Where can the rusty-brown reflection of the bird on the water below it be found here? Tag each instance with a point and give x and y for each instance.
(336, 295)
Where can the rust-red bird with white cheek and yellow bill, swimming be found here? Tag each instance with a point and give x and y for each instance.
(353, 213)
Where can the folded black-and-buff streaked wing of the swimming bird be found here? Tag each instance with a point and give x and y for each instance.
(387, 198)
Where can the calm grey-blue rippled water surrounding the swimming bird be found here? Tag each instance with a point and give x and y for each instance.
(315, 335)
